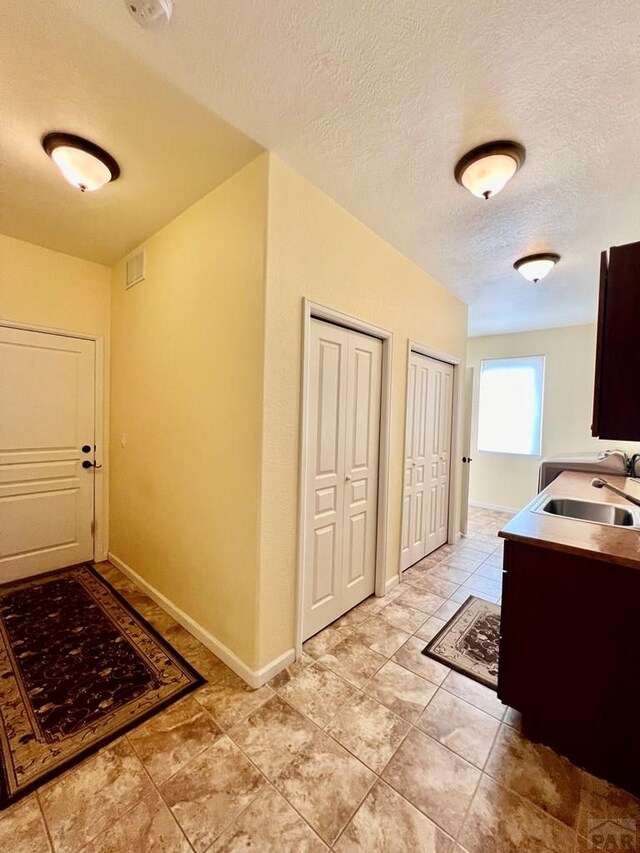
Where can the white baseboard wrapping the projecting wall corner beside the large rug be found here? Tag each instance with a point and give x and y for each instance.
(254, 677)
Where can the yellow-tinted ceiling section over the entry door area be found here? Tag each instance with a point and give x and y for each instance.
(56, 74)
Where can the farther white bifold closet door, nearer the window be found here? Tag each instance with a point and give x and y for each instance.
(425, 513)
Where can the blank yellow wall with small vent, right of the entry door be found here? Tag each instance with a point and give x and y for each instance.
(187, 410)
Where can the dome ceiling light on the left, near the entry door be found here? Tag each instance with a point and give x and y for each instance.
(84, 164)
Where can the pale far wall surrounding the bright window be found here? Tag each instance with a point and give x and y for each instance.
(511, 481)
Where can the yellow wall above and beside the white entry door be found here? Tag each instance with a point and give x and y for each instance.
(40, 287)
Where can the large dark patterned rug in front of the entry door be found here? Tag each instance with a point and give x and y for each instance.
(78, 668)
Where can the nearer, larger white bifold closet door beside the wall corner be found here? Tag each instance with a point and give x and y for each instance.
(342, 472)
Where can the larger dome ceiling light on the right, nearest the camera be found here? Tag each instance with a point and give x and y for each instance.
(485, 170)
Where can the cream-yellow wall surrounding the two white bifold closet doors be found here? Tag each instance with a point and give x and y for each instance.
(316, 249)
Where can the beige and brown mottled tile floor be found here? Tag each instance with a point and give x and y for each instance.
(362, 745)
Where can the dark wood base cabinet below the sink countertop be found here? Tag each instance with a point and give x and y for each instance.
(570, 657)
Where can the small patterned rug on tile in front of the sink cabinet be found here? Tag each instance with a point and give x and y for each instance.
(469, 641)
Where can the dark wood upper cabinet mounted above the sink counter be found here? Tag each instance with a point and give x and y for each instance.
(616, 404)
